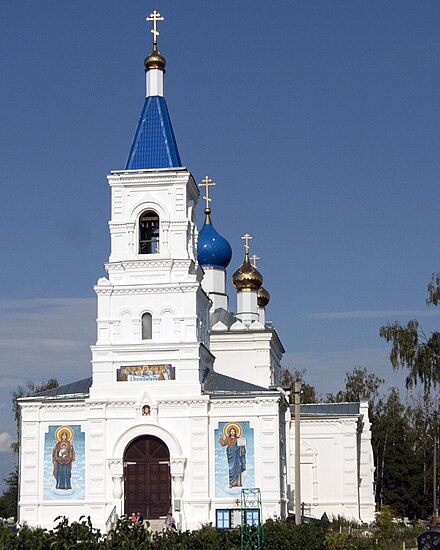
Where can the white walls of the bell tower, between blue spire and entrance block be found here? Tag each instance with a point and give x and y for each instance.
(164, 284)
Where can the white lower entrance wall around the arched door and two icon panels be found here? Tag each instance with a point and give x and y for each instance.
(186, 426)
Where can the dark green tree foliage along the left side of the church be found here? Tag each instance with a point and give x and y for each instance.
(9, 499)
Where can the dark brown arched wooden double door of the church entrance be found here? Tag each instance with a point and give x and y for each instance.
(147, 479)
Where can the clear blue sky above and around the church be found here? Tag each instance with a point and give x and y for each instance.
(319, 121)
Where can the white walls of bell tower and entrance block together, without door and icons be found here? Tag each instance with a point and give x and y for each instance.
(167, 286)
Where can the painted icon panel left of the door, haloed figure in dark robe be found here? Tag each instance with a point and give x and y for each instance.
(64, 463)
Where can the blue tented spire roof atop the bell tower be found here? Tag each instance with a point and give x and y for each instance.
(154, 144)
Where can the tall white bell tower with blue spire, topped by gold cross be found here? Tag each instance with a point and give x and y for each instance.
(153, 315)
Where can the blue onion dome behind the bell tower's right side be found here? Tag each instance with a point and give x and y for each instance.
(213, 250)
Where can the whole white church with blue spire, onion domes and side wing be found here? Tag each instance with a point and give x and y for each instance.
(183, 409)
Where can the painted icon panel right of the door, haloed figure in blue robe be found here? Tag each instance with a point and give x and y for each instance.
(234, 455)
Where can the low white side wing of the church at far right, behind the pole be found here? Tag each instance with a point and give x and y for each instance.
(337, 468)
